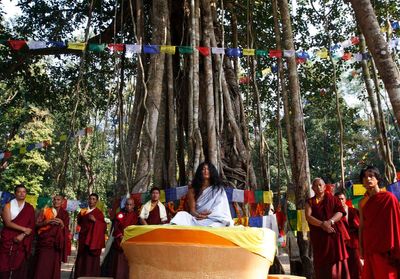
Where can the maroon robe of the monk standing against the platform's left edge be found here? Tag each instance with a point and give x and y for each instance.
(120, 268)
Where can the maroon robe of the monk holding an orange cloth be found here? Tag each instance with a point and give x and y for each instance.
(51, 248)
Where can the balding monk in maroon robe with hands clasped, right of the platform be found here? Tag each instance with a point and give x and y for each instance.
(328, 234)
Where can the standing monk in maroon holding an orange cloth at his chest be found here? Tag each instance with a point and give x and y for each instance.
(52, 243)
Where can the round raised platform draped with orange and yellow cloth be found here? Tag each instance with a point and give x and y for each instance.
(198, 252)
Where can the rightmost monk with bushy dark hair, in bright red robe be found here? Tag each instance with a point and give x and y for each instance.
(379, 229)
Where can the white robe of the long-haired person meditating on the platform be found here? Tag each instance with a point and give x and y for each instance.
(210, 200)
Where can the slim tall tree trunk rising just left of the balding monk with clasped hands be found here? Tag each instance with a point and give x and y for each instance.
(301, 177)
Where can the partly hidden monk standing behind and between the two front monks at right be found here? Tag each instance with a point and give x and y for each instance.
(352, 224)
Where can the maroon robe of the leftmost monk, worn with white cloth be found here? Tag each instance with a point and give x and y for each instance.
(14, 256)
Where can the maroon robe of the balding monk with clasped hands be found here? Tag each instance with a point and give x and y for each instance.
(330, 255)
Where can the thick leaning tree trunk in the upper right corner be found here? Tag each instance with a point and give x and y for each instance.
(378, 47)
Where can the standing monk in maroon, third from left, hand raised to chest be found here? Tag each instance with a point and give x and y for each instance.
(91, 239)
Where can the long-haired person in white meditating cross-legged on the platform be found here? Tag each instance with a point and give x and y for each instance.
(207, 200)
